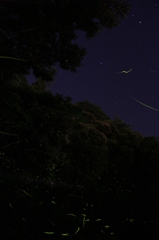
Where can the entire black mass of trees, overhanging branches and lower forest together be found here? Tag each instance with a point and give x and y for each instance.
(67, 169)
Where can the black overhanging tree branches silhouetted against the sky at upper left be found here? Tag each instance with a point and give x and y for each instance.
(41, 32)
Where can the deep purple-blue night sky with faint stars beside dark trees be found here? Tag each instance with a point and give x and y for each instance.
(134, 44)
